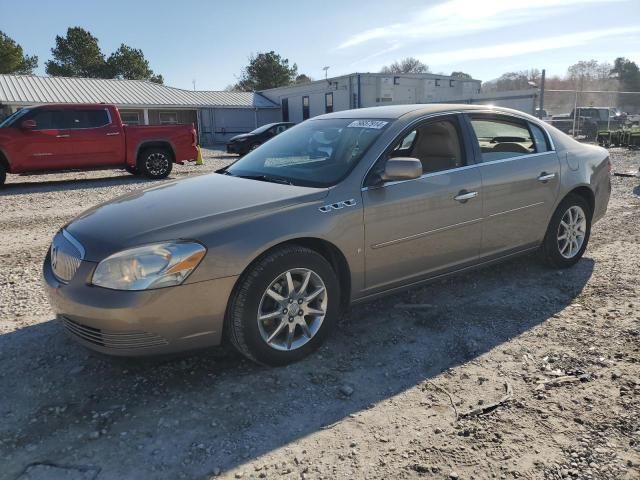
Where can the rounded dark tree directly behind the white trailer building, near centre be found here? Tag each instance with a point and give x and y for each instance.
(266, 70)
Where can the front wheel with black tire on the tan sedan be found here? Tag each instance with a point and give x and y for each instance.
(250, 299)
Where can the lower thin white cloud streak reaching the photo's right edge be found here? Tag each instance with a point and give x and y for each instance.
(521, 48)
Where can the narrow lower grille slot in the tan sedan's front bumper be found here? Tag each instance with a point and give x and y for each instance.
(112, 339)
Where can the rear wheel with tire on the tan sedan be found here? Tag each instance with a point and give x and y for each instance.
(554, 251)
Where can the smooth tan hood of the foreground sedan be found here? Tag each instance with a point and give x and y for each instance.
(186, 209)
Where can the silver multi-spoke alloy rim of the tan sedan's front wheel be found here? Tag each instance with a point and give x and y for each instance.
(292, 309)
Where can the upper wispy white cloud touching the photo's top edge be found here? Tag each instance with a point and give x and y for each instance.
(461, 17)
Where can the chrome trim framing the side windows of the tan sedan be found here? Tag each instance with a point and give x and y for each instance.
(552, 147)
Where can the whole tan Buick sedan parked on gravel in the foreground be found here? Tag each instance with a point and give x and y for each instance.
(339, 209)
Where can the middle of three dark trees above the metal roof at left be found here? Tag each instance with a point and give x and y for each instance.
(77, 55)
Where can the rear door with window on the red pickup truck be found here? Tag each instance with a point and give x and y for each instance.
(95, 141)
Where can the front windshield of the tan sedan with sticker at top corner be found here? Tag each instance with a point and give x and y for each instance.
(316, 153)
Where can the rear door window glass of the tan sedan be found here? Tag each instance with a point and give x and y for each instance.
(502, 137)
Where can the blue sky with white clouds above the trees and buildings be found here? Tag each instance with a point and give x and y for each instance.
(210, 41)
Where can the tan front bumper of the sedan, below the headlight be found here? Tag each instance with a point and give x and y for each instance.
(135, 323)
